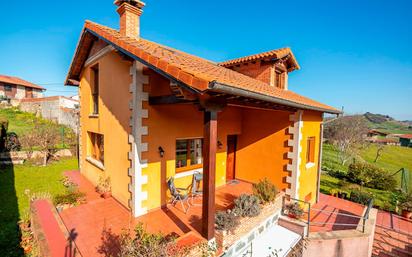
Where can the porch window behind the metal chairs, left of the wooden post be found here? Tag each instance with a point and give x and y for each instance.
(188, 154)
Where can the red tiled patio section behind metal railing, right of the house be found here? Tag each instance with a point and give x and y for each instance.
(331, 211)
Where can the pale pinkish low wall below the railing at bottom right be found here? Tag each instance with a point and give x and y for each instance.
(343, 243)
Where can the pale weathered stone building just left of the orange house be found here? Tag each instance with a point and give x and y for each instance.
(61, 109)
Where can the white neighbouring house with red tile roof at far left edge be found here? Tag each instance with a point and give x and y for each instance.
(14, 88)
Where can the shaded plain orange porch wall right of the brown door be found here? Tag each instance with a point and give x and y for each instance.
(262, 146)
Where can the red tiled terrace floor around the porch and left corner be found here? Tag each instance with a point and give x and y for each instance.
(92, 219)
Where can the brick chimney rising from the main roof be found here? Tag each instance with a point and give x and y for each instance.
(130, 12)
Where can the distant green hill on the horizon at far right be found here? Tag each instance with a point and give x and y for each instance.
(387, 124)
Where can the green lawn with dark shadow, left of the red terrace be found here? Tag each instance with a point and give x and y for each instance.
(14, 203)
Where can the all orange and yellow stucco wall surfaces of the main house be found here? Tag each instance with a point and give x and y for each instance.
(262, 136)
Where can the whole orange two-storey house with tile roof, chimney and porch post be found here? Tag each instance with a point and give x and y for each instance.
(149, 112)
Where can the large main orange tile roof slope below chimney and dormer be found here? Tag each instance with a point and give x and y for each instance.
(198, 73)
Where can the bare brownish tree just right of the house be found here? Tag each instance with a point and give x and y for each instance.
(346, 134)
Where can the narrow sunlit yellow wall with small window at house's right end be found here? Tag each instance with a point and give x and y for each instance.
(309, 172)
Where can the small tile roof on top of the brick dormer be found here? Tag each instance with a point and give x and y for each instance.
(277, 53)
